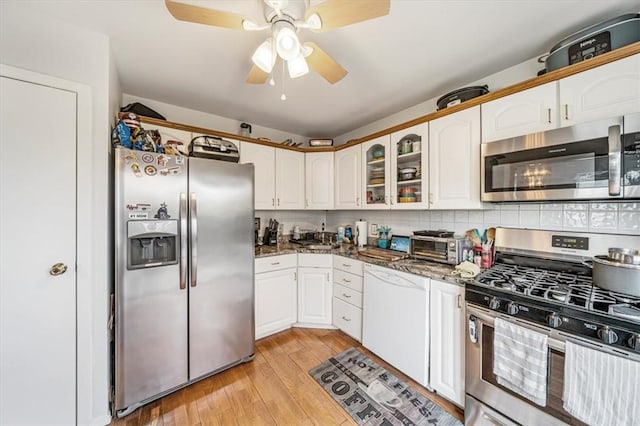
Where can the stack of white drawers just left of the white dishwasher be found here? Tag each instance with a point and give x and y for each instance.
(347, 296)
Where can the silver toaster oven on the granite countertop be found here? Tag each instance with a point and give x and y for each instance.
(437, 246)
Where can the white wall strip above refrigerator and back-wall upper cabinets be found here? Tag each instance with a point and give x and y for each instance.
(192, 117)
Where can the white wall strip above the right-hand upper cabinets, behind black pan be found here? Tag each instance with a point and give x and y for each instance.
(502, 79)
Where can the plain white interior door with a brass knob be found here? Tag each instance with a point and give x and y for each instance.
(38, 228)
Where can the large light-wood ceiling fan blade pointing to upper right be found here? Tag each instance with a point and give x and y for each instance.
(340, 13)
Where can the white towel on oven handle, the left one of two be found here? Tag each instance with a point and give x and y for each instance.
(520, 360)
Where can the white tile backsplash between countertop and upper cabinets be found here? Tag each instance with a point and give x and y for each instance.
(614, 218)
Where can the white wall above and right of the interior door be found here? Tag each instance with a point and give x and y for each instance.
(53, 48)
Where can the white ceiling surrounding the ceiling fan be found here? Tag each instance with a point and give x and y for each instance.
(421, 50)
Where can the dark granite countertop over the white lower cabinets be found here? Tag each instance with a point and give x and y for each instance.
(424, 268)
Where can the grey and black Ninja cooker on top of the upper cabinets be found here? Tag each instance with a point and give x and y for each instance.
(593, 41)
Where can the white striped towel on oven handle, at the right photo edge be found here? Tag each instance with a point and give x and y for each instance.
(600, 388)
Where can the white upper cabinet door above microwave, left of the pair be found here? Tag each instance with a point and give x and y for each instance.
(530, 111)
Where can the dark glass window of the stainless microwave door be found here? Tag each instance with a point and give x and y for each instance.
(574, 165)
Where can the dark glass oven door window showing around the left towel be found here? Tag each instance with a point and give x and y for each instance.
(555, 381)
